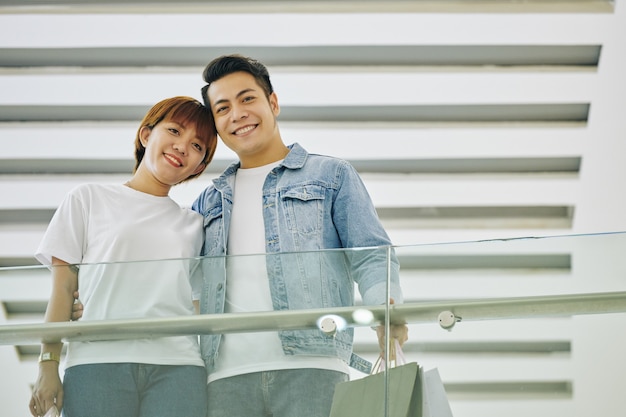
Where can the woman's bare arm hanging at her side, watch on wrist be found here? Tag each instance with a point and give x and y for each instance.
(48, 389)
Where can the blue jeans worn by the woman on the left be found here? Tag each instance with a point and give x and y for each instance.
(134, 390)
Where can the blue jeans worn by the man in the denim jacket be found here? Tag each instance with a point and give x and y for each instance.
(284, 393)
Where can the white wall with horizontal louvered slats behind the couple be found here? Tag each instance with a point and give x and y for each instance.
(468, 120)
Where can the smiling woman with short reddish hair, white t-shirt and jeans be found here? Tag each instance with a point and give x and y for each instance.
(92, 237)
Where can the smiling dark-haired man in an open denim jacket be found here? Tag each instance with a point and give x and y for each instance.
(292, 206)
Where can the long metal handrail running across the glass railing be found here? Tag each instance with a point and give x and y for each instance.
(422, 312)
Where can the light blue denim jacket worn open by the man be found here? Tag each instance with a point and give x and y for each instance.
(313, 206)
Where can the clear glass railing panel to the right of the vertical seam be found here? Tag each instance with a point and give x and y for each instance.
(539, 330)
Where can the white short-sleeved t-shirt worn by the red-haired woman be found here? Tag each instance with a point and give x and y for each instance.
(102, 227)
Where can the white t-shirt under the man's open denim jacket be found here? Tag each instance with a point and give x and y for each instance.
(247, 289)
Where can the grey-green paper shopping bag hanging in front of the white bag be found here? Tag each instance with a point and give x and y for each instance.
(365, 397)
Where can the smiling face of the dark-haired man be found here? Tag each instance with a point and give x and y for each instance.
(244, 117)
